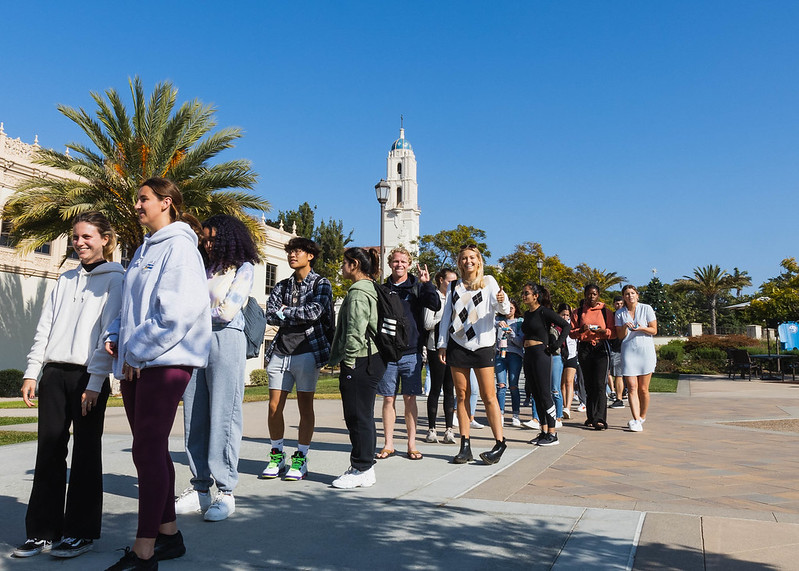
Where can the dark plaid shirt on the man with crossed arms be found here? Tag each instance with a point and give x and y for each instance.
(312, 310)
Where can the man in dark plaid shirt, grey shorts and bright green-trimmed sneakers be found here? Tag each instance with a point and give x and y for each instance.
(302, 306)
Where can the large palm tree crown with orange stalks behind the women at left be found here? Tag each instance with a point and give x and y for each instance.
(157, 140)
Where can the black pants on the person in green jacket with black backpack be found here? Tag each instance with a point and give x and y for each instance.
(358, 388)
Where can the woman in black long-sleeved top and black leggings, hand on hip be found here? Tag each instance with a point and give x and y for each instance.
(539, 346)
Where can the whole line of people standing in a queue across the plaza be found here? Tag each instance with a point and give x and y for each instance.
(171, 327)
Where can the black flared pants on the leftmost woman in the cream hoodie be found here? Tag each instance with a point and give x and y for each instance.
(60, 391)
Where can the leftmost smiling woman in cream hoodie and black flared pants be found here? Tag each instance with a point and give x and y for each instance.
(68, 353)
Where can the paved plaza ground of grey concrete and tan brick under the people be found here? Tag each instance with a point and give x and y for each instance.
(691, 492)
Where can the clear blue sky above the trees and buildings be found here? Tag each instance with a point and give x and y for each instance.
(626, 135)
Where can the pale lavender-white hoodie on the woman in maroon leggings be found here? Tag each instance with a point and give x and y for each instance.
(165, 319)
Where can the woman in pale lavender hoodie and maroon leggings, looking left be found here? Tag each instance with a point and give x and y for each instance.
(163, 334)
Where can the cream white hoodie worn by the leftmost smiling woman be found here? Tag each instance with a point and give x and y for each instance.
(75, 315)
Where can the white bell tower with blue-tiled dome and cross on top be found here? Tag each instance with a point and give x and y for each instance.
(401, 217)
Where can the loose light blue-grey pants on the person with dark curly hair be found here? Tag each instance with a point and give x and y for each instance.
(212, 413)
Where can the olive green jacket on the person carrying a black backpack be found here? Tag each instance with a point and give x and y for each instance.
(358, 312)
